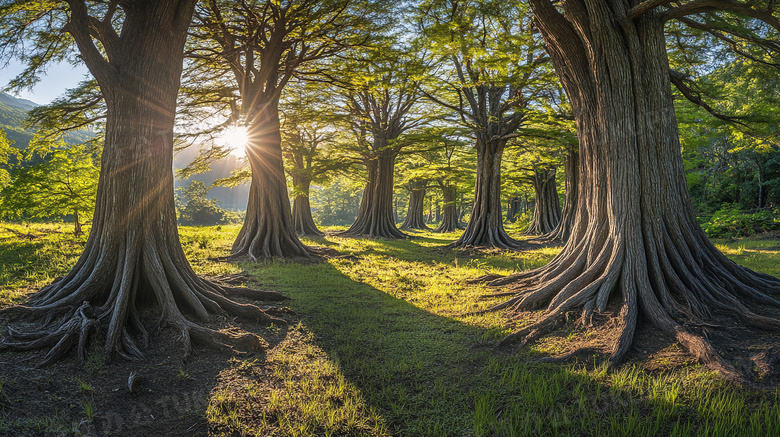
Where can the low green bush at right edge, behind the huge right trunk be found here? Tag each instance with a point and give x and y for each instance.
(730, 221)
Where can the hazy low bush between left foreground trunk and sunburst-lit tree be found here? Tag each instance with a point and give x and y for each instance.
(197, 209)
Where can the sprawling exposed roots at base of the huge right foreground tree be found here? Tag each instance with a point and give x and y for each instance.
(679, 293)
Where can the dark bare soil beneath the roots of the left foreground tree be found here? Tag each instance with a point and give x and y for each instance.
(169, 396)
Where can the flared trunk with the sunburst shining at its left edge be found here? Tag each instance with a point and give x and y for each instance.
(268, 230)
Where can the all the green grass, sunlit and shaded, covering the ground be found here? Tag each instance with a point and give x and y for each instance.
(385, 345)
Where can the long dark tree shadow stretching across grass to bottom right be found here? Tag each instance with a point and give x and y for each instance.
(429, 375)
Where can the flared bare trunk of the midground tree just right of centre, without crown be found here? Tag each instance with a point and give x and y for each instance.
(486, 226)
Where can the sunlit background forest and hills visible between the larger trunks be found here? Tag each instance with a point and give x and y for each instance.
(732, 158)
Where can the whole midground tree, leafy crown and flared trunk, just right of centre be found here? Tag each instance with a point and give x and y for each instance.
(498, 69)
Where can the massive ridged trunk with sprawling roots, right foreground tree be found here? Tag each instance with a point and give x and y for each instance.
(635, 239)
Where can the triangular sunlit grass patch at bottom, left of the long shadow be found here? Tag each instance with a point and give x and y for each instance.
(298, 391)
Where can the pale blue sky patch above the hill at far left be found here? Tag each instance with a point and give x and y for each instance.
(59, 77)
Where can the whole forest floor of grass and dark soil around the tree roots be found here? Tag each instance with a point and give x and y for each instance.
(378, 343)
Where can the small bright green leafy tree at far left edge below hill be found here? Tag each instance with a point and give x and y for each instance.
(65, 183)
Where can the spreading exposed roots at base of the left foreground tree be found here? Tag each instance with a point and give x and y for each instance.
(93, 297)
